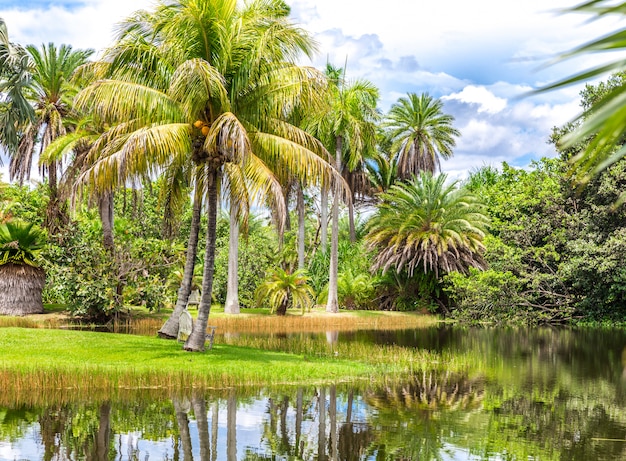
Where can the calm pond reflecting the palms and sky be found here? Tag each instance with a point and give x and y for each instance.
(541, 394)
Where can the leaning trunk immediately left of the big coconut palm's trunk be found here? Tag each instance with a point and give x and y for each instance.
(169, 330)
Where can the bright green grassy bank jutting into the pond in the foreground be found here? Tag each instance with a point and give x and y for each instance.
(61, 359)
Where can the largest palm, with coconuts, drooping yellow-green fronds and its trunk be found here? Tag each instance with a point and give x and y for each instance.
(225, 80)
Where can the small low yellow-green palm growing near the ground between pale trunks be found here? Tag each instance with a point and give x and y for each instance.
(283, 290)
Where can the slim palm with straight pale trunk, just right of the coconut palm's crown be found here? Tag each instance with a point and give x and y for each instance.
(348, 128)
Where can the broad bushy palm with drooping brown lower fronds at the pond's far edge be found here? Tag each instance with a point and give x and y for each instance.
(428, 226)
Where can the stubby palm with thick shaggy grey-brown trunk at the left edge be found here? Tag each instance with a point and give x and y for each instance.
(21, 277)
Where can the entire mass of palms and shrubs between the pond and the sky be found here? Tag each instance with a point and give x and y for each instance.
(542, 244)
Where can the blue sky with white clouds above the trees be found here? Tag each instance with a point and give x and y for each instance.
(480, 57)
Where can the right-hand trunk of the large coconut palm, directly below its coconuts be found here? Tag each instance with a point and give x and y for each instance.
(195, 342)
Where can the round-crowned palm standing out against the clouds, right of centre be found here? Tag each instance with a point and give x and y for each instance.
(420, 133)
